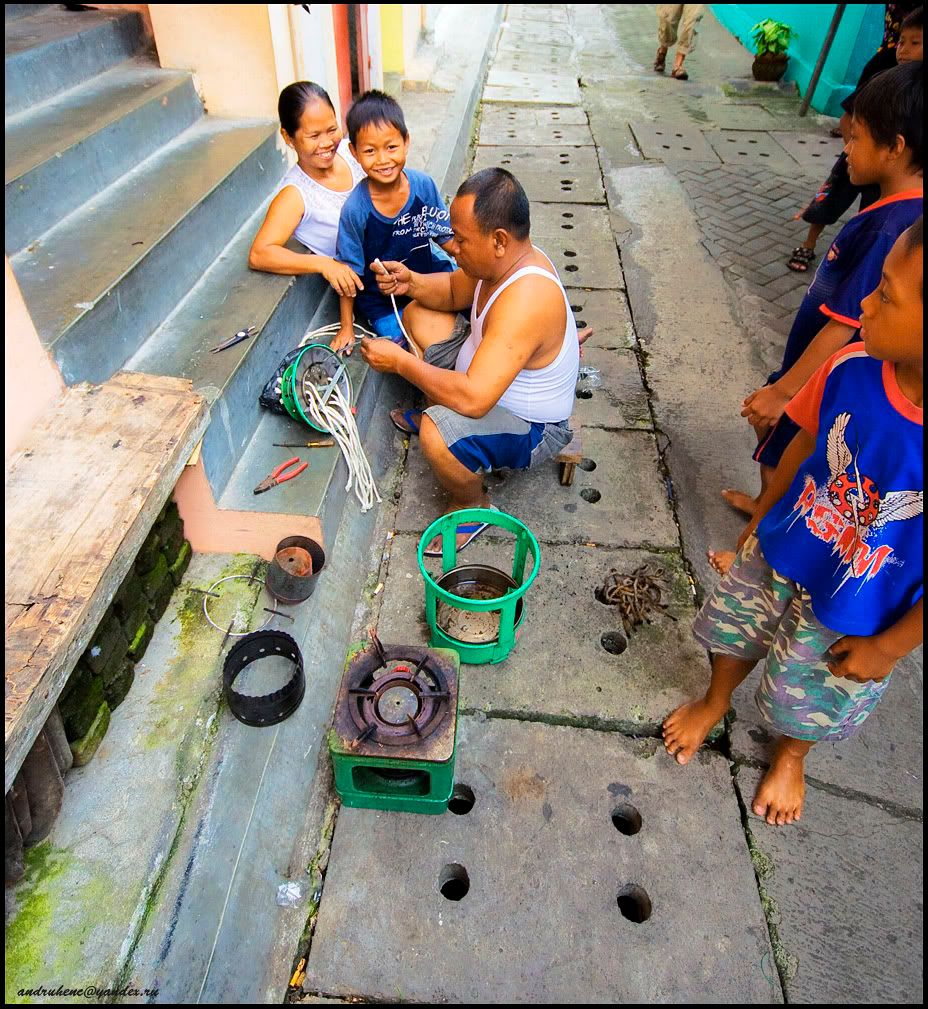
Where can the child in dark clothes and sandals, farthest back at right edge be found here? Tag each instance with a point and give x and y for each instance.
(839, 192)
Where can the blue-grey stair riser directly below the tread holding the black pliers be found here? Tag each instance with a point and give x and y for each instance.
(236, 416)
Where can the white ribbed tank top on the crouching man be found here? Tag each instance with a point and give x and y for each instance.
(540, 396)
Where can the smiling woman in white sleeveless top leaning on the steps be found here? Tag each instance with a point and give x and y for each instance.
(312, 194)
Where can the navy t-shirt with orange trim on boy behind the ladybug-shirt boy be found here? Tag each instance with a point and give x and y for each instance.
(850, 271)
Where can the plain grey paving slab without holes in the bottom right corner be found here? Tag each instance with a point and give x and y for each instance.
(847, 868)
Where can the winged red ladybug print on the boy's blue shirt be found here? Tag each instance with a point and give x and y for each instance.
(851, 510)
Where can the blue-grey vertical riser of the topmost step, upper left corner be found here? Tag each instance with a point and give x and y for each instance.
(40, 73)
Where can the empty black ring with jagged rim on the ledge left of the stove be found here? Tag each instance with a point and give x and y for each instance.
(270, 709)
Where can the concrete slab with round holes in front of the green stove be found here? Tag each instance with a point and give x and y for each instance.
(541, 856)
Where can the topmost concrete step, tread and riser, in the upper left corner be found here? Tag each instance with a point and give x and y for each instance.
(55, 50)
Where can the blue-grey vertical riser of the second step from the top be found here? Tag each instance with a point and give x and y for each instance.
(41, 198)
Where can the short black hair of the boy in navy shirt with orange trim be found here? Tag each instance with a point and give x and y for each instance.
(891, 104)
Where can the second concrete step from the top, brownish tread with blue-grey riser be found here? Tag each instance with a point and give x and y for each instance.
(76, 145)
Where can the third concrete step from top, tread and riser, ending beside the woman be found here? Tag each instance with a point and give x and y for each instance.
(103, 280)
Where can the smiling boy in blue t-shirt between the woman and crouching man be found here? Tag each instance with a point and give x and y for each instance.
(396, 214)
